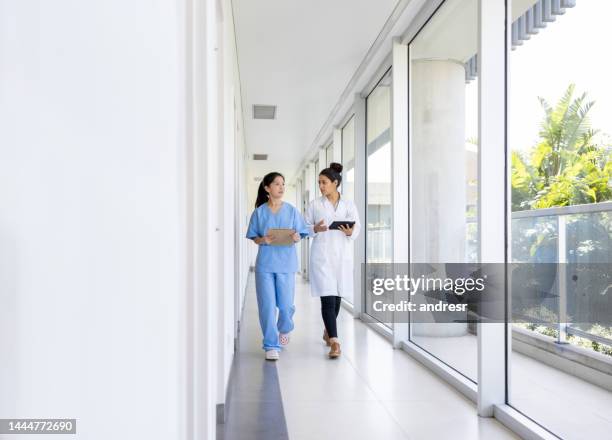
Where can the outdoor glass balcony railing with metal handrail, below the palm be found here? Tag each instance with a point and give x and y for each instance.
(575, 306)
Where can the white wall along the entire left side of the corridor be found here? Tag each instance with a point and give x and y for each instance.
(94, 256)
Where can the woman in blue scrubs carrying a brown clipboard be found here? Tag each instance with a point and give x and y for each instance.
(276, 265)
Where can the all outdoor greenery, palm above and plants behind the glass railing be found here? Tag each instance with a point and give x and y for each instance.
(571, 164)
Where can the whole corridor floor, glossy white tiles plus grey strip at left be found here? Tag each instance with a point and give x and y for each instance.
(371, 391)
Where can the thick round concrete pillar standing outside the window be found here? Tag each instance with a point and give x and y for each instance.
(438, 174)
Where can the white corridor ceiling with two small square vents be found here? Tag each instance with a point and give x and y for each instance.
(298, 55)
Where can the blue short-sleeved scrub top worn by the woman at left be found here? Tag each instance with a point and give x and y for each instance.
(279, 259)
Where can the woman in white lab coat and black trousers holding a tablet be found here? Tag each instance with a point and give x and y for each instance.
(331, 254)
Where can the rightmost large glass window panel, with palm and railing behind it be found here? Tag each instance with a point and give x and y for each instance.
(559, 132)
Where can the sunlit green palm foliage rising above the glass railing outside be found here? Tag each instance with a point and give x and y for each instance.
(570, 165)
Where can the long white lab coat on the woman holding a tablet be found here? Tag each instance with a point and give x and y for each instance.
(331, 253)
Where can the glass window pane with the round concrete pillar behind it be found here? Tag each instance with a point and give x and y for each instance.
(444, 169)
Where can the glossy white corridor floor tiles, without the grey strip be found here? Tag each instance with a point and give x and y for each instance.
(371, 391)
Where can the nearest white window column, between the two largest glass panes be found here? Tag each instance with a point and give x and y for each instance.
(493, 192)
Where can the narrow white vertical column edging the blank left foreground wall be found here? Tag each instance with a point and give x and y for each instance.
(206, 219)
